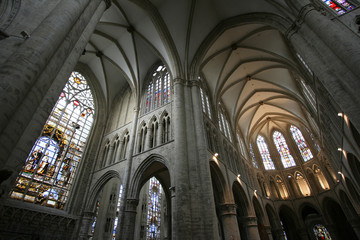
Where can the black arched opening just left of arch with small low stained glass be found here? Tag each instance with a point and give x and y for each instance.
(289, 223)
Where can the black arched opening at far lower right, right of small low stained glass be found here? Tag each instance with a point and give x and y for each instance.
(340, 224)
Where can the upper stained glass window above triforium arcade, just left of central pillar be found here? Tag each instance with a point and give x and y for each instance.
(158, 91)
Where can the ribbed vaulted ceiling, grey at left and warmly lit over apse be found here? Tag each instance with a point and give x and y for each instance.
(249, 68)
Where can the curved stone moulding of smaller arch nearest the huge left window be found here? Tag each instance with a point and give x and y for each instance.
(98, 186)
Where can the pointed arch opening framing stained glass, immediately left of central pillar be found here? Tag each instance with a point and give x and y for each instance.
(149, 199)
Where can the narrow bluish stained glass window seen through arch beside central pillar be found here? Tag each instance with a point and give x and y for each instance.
(153, 210)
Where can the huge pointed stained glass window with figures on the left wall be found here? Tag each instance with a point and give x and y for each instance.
(50, 167)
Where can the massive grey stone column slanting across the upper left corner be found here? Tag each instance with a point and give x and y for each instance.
(33, 66)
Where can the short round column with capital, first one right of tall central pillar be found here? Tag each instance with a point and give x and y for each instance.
(229, 221)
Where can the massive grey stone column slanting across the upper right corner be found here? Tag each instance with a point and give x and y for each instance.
(333, 55)
